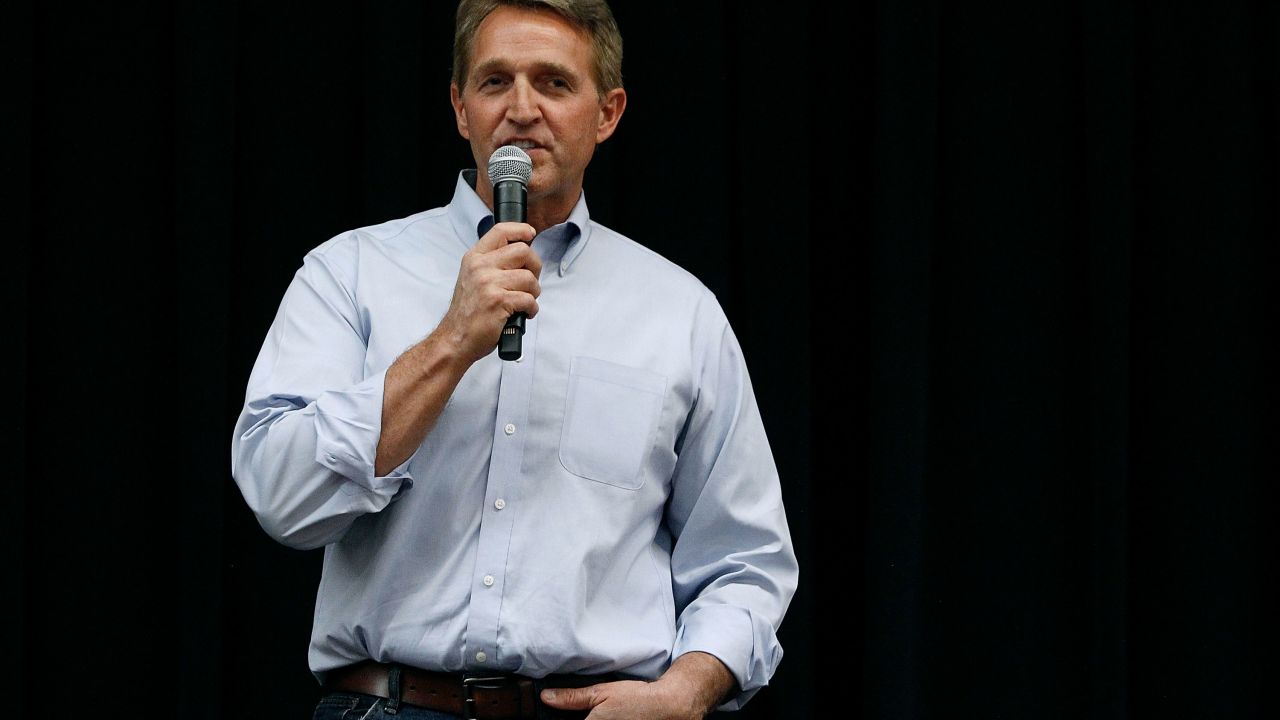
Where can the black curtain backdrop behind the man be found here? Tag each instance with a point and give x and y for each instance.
(1003, 274)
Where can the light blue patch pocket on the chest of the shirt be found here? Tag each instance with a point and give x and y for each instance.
(611, 414)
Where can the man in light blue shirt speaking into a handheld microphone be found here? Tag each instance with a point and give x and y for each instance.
(597, 527)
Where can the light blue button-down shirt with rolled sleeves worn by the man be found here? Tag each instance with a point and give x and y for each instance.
(606, 504)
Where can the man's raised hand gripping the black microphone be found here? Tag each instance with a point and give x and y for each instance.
(497, 277)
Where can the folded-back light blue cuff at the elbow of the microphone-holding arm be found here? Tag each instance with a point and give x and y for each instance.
(349, 425)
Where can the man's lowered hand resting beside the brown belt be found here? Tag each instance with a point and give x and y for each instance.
(689, 690)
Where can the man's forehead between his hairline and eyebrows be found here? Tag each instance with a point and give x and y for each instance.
(524, 38)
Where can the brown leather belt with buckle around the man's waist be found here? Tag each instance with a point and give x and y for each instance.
(481, 698)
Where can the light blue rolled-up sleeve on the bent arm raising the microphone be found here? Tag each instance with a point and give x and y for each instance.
(303, 453)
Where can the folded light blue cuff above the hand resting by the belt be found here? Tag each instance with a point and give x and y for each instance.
(746, 645)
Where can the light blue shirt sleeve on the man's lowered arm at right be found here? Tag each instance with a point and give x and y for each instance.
(734, 568)
